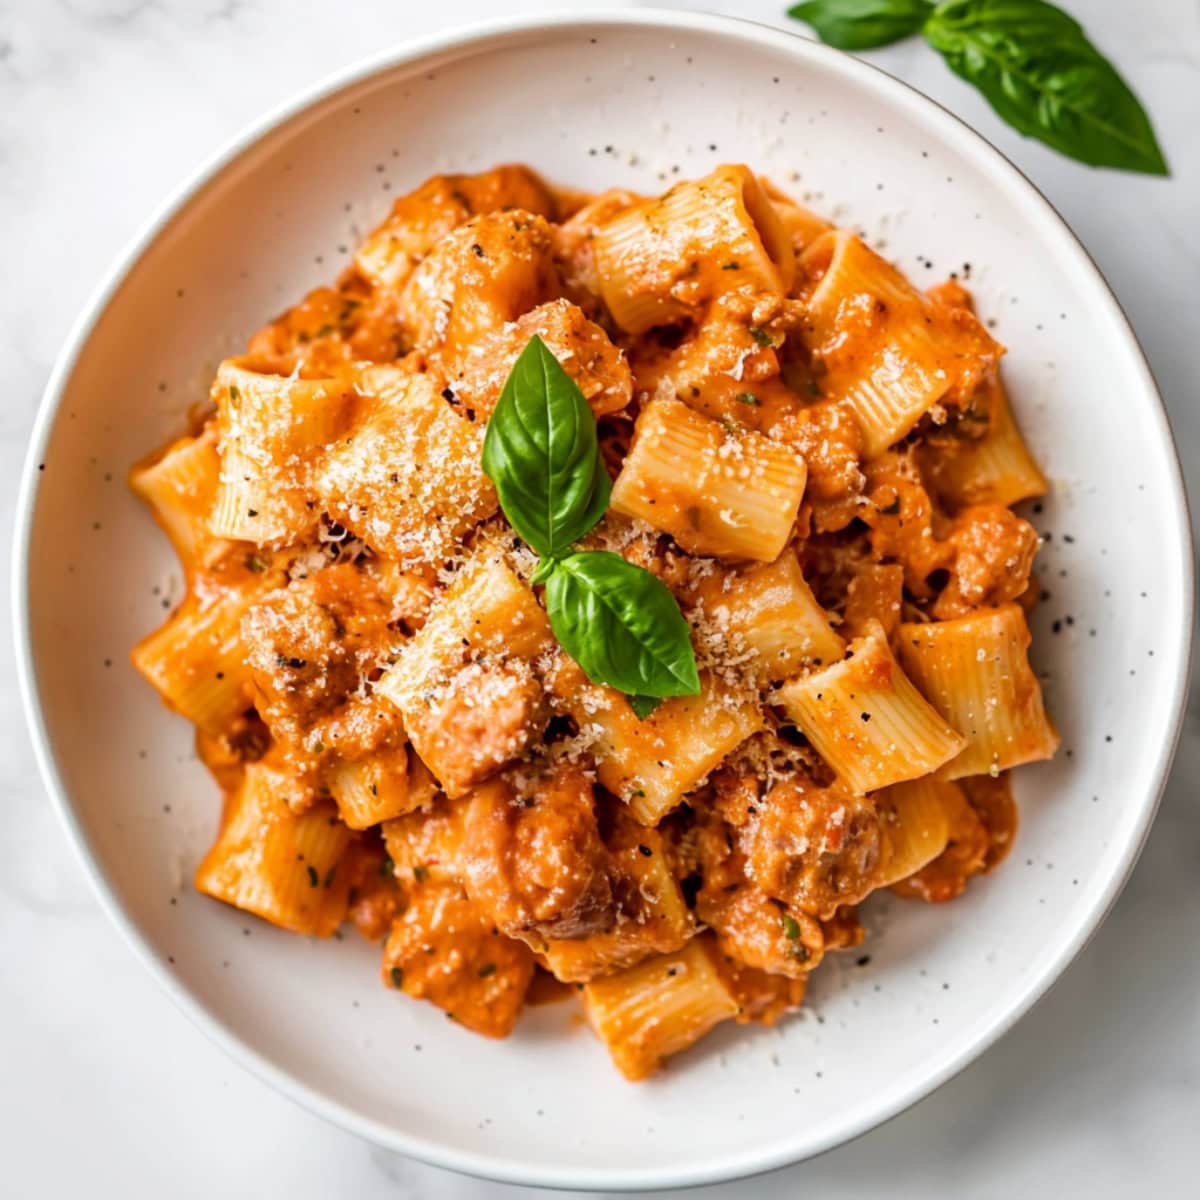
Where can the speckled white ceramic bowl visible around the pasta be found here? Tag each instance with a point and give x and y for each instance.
(635, 99)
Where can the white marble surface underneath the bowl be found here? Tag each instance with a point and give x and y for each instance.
(105, 106)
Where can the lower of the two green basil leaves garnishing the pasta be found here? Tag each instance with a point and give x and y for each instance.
(622, 626)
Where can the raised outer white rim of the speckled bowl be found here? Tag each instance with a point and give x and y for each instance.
(460, 39)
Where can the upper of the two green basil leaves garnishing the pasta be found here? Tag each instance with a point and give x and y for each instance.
(542, 454)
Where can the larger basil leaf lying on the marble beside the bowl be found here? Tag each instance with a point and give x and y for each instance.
(1040, 73)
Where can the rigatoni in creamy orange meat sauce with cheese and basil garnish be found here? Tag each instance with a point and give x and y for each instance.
(598, 596)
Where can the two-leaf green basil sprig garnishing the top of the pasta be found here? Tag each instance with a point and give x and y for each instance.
(617, 621)
